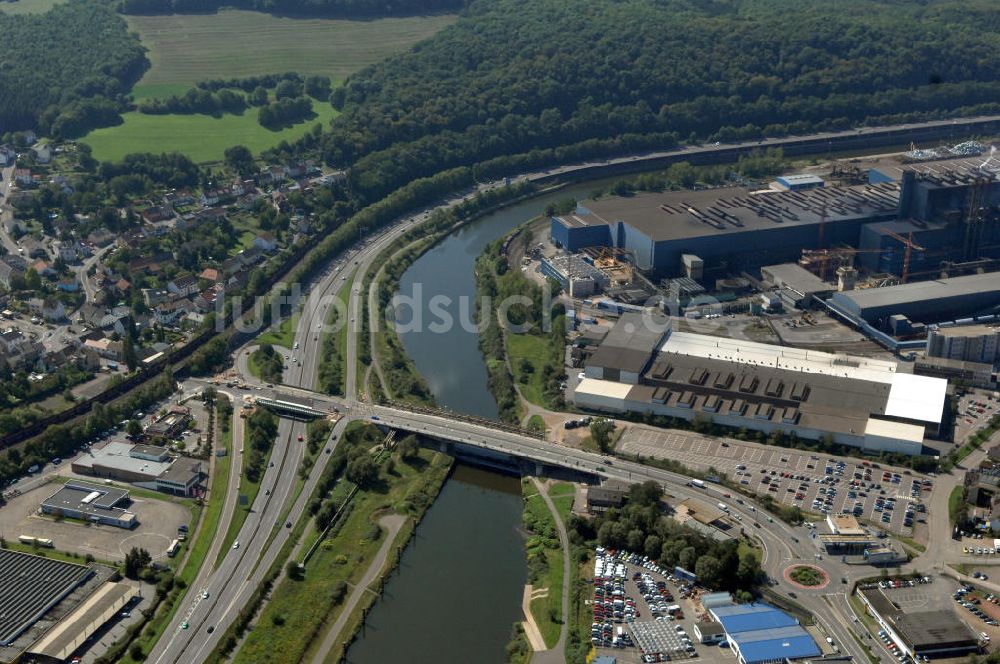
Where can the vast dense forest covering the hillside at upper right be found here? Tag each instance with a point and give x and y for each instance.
(515, 77)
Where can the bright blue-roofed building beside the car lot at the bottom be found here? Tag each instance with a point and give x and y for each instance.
(761, 634)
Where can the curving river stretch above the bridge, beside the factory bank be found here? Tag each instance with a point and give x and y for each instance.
(449, 359)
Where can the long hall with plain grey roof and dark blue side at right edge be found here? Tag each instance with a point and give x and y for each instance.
(924, 301)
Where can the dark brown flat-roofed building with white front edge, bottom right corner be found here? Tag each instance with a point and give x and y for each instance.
(939, 633)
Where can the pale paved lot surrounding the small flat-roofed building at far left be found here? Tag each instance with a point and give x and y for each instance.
(158, 523)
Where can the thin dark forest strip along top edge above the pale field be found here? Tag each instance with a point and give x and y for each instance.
(336, 8)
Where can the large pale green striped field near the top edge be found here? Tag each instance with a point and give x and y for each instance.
(185, 49)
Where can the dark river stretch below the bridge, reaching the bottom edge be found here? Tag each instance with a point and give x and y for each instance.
(460, 582)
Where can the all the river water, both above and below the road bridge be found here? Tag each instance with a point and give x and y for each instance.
(460, 586)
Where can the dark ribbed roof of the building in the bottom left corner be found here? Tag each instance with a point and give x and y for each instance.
(31, 586)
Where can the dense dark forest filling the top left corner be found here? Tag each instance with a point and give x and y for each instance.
(65, 71)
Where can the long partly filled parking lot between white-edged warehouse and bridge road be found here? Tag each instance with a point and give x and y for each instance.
(889, 498)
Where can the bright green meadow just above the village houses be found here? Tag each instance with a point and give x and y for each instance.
(203, 138)
